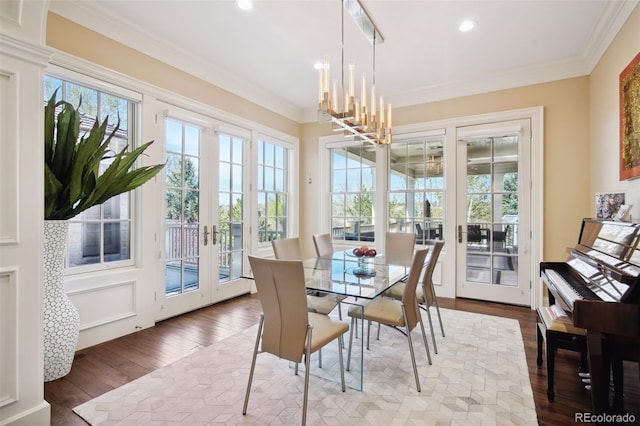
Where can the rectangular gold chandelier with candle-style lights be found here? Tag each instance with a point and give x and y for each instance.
(356, 116)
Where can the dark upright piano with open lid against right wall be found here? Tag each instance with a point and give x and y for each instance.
(599, 288)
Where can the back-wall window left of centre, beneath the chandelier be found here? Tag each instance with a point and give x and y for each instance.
(353, 171)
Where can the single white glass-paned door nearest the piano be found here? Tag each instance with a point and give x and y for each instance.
(493, 206)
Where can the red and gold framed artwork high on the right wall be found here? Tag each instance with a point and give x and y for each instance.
(630, 120)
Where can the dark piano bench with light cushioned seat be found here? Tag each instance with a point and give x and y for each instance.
(559, 333)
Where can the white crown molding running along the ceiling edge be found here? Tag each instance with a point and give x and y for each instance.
(104, 22)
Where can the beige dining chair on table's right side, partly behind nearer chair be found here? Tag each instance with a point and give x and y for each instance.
(426, 293)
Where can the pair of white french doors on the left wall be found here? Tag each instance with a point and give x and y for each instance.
(204, 230)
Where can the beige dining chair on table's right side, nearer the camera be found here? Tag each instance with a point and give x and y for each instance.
(398, 314)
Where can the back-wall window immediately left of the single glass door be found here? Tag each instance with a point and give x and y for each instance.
(416, 187)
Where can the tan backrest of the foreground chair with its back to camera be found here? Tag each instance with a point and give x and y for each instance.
(281, 290)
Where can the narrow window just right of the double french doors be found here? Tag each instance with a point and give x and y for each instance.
(273, 196)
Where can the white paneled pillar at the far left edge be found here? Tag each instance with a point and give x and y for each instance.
(23, 57)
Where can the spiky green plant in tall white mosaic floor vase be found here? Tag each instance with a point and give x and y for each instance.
(73, 184)
